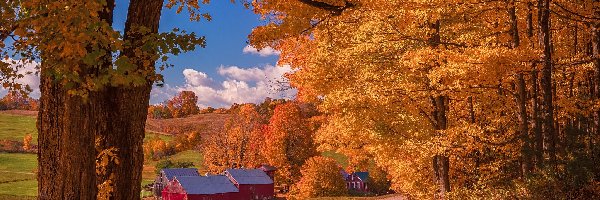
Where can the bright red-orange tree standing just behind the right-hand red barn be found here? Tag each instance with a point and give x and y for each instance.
(288, 142)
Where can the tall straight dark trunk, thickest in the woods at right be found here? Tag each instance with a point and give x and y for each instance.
(546, 82)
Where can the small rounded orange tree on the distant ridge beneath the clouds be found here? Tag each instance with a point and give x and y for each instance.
(184, 104)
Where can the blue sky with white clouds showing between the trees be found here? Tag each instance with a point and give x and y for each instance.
(226, 71)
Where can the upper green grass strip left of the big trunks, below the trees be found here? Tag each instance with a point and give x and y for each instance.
(15, 127)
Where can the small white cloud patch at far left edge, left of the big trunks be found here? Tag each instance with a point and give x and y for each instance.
(32, 79)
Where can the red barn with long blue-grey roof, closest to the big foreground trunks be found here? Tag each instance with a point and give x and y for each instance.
(200, 188)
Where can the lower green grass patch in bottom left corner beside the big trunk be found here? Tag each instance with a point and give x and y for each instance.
(17, 175)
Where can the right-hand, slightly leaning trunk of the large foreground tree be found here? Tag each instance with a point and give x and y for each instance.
(129, 104)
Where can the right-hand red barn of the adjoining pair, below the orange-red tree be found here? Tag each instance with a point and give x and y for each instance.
(252, 183)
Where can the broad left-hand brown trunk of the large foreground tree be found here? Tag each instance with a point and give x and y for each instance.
(68, 126)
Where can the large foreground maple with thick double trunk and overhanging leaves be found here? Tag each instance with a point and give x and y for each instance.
(95, 88)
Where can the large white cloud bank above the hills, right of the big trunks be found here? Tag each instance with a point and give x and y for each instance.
(240, 85)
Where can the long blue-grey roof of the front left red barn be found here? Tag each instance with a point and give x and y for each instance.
(206, 184)
